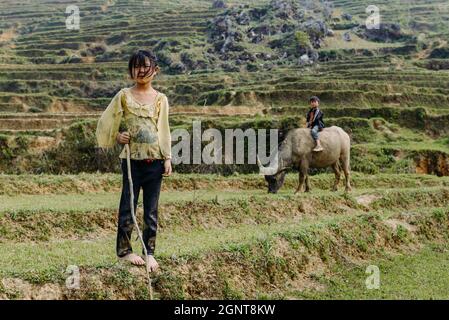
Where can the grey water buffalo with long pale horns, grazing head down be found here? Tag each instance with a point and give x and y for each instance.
(296, 151)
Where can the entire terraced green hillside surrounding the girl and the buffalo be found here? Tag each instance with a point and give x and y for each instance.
(220, 234)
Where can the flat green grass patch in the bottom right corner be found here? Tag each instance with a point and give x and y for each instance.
(417, 275)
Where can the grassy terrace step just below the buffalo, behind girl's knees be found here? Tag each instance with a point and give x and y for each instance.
(59, 218)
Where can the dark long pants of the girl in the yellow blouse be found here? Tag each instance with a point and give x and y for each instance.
(147, 176)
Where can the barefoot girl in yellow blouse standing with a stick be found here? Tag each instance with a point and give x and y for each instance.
(138, 116)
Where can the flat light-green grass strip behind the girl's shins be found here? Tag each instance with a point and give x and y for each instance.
(47, 261)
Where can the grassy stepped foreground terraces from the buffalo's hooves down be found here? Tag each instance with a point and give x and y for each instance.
(222, 228)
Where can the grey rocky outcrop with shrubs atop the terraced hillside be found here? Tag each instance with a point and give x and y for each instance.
(290, 31)
